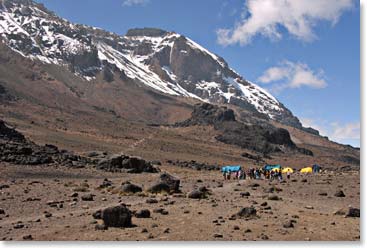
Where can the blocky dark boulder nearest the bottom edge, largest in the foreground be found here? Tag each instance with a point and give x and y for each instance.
(118, 216)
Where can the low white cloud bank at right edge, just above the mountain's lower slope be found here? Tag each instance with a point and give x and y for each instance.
(347, 133)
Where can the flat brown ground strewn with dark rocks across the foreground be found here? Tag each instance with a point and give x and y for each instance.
(55, 203)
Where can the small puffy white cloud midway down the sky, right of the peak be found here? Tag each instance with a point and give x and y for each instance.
(292, 75)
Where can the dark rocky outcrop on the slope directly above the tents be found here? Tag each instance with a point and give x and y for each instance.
(264, 139)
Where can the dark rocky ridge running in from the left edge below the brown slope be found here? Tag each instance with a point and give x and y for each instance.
(16, 149)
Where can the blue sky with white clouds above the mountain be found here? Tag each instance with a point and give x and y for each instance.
(306, 53)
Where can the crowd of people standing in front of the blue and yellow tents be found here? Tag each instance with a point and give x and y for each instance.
(255, 173)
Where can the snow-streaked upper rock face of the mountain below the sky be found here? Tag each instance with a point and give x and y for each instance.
(167, 62)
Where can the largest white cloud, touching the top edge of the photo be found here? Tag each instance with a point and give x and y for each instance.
(298, 17)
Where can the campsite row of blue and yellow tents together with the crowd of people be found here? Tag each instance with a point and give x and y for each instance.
(269, 172)
